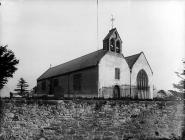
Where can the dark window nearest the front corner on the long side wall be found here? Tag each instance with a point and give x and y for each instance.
(77, 80)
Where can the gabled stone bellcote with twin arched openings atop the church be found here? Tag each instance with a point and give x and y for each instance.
(112, 42)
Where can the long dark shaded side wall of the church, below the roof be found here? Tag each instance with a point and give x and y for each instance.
(65, 86)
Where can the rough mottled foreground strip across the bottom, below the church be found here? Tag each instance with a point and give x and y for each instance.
(92, 120)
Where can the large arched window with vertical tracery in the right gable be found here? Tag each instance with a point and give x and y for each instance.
(142, 80)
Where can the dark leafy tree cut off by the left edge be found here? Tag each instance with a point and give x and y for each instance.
(8, 64)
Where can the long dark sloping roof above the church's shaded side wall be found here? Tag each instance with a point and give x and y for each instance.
(82, 62)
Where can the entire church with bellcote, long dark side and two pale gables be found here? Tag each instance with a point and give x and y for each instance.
(105, 73)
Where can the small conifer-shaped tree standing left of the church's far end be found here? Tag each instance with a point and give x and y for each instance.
(22, 87)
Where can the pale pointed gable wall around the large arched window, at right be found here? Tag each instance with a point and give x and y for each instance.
(140, 64)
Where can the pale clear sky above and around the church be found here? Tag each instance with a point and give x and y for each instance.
(50, 32)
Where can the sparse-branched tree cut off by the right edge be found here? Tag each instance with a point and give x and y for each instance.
(181, 85)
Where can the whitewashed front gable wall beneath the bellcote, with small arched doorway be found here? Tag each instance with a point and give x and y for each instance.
(107, 80)
